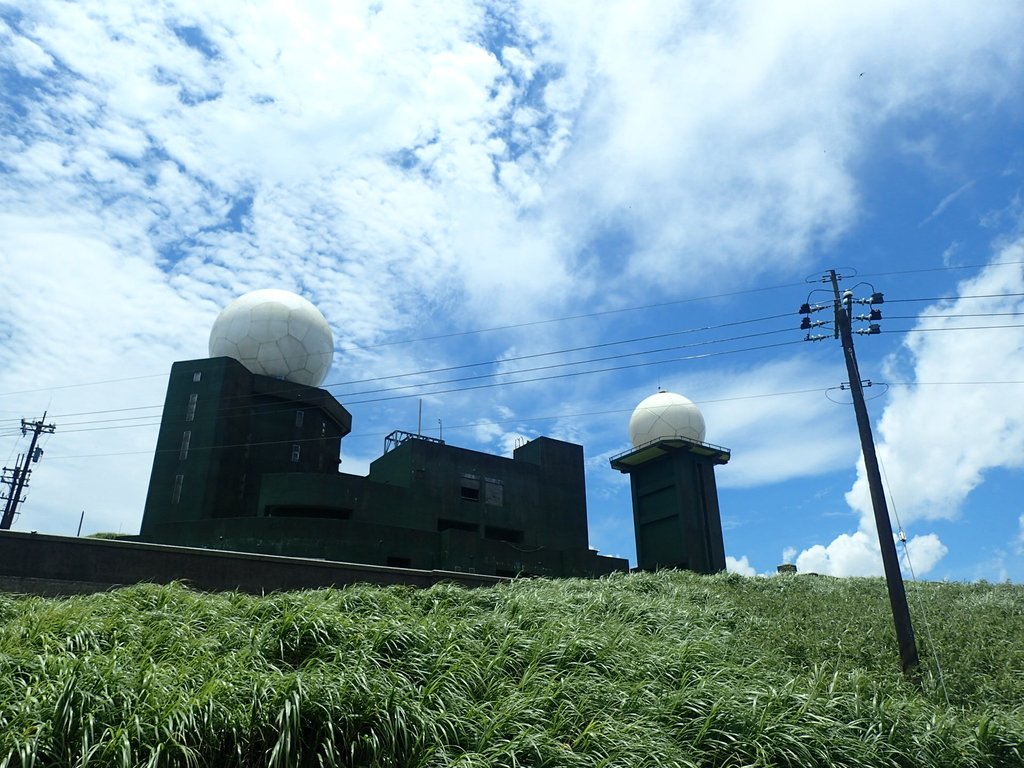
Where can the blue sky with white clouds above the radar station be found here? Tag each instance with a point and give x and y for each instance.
(487, 183)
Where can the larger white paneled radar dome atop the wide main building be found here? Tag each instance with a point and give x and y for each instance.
(275, 333)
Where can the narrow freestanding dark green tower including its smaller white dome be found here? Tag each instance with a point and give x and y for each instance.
(672, 478)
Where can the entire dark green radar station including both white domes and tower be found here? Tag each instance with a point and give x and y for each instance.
(248, 459)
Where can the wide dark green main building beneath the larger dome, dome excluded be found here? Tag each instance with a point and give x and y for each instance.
(250, 463)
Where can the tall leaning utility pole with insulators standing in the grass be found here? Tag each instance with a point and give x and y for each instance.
(890, 562)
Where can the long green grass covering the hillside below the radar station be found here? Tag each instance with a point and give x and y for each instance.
(647, 670)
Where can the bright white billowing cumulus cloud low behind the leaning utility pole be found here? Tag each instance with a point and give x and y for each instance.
(949, 422)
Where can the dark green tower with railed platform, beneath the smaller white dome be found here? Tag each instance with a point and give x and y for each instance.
(675, 504)
